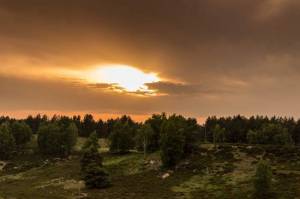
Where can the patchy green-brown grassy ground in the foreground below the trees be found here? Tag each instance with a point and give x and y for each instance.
(223, 172)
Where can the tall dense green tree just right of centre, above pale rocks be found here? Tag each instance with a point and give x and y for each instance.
(172, 143)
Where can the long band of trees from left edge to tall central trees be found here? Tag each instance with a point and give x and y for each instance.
(173, 135)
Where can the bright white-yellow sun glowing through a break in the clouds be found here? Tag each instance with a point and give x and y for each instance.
(123, 78)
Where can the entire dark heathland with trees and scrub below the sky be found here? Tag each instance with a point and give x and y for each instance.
(192, 160)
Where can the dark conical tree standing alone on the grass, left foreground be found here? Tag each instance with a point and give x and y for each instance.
(93, 173)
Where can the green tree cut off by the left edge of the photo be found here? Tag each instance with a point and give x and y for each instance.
(7, 142)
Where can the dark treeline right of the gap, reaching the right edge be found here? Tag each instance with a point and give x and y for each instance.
(253, 130)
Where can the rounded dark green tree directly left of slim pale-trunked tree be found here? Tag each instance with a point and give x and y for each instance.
(122, 137)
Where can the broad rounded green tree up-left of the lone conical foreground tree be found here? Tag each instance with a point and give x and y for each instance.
(55, 139)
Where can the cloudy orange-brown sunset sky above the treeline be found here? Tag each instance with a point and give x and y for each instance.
(192, 57)
